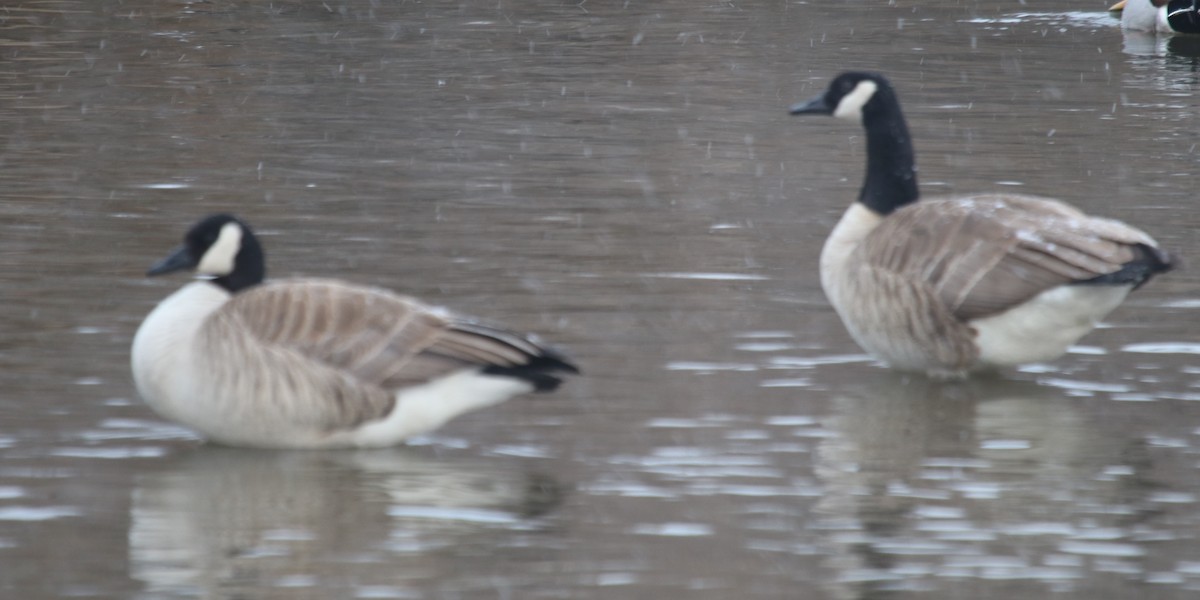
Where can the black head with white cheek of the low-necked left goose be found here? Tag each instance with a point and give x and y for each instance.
(221, 248)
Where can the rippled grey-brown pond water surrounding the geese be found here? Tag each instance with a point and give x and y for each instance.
(623, 179)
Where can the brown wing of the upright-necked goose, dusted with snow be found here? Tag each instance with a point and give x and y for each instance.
(986, 255)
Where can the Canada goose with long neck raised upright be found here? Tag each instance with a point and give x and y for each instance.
(957, 285)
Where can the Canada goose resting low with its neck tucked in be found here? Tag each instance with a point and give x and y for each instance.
(308, 363)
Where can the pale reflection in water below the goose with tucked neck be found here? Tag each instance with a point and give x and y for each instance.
(221, 523)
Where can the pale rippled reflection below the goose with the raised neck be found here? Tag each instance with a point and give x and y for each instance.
(931, 485)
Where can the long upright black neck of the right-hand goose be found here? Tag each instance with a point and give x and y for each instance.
(891, 172)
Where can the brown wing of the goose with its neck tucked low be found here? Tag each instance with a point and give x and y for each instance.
(358, 346)
